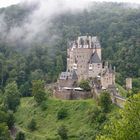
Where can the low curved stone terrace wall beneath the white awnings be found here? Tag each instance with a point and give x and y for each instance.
(72, 94)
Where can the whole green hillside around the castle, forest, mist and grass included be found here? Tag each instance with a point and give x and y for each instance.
(33, 53)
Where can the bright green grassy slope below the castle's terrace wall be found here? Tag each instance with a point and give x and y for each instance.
(47, 122)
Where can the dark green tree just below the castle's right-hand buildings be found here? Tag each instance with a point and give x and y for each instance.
(105, 101)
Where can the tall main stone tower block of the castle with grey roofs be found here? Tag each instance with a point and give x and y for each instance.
(84, 56)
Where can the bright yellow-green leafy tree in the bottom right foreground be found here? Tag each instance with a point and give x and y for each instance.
(127, 126)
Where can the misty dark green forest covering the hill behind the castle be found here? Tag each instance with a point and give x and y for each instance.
(44, 56)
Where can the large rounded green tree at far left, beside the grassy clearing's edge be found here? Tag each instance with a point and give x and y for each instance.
(11, 96)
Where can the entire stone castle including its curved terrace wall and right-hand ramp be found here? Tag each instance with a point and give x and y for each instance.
(84, 62)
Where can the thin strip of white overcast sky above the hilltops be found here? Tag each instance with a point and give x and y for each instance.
(4, 3)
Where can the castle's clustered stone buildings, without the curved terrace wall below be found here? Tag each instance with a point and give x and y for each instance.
(84, 61)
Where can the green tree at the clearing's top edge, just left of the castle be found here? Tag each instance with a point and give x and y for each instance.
(38, 91)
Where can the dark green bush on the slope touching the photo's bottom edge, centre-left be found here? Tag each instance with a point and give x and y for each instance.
(63, 132)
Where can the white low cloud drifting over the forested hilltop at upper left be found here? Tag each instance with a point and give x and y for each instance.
(37, 24)
